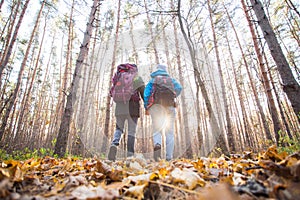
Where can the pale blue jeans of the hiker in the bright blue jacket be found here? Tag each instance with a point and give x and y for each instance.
(163, 119)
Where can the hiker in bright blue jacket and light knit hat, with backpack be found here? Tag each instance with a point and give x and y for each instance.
(159, 101)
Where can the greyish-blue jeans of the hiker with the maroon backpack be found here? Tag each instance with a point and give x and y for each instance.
(131, 123)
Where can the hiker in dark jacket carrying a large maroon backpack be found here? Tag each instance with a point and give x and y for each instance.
(126, 91)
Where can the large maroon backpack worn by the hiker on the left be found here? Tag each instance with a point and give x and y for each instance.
(122, 89)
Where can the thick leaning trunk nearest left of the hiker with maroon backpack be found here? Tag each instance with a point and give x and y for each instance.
(64, 130)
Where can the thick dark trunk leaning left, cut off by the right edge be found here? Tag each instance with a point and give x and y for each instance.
(290, 85)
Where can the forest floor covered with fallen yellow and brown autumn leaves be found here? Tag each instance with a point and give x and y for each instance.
(266, 175)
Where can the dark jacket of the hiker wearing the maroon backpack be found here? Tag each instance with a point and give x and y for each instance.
(132, 107)
